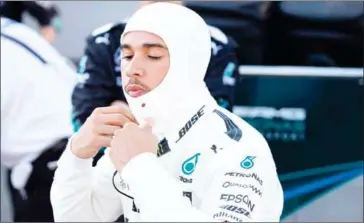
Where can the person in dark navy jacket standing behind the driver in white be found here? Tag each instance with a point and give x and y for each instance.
(99, 68)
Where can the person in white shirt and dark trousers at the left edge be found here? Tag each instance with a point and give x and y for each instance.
(36, 87)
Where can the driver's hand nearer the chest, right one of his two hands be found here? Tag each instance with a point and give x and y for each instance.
(131, 141)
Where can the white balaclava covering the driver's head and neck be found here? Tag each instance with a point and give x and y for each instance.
(183, 90)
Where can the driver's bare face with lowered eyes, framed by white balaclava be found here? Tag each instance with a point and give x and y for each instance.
(144, 62)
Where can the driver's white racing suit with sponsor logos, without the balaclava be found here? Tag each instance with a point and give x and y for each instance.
(227, 174)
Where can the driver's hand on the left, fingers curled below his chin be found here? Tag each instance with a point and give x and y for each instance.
(98, 130)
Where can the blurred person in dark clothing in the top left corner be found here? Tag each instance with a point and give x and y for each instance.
(45, 12)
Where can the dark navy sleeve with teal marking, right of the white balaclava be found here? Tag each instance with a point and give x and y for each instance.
(222, 73)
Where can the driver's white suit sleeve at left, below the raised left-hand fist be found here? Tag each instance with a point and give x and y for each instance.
(82, 193)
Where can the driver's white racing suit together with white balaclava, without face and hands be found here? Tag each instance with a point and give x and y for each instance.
(211, 165)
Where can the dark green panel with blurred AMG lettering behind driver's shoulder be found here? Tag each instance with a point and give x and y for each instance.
(330, 134)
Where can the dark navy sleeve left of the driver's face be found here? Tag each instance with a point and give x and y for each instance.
(97, 85)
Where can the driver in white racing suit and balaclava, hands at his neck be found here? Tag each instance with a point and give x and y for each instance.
(211, 165)
